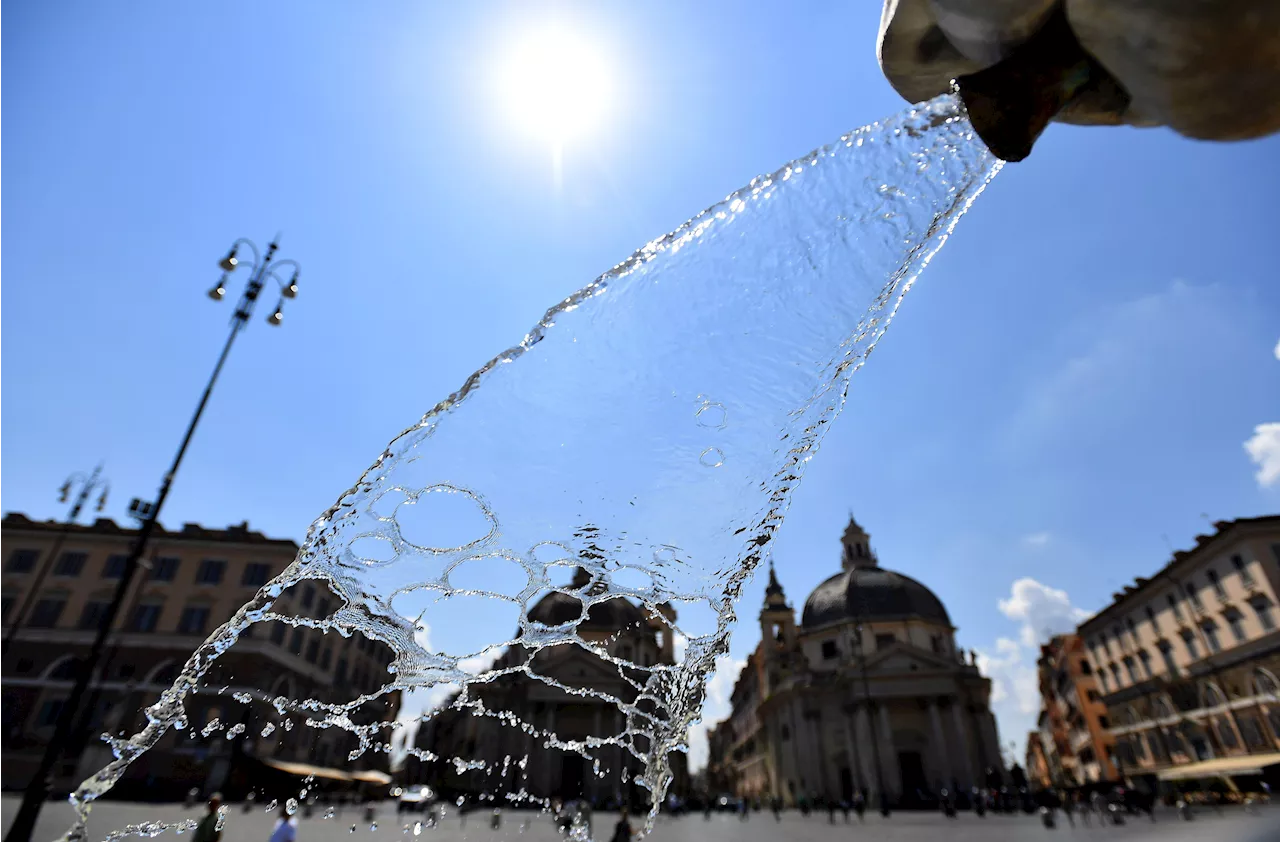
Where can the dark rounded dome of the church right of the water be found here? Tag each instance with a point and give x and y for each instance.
(871, 594)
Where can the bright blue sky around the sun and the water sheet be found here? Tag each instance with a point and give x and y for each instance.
(1063, 399)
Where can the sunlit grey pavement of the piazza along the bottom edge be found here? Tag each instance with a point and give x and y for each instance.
(257, 827)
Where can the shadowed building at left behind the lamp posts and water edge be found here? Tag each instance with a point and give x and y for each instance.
(198, 578)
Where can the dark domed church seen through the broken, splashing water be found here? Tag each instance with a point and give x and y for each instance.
(569, 694)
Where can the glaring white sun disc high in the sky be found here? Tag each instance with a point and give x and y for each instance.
(556, 85)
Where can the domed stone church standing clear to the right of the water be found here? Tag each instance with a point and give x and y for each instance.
(867, 694)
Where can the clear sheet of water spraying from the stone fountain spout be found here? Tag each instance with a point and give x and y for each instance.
(651, 431)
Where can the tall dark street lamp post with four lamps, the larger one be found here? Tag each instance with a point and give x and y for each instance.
(262, 271)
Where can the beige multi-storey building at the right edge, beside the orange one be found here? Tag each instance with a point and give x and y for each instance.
(1188, 660)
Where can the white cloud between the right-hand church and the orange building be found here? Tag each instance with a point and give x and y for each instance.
(1040, 612)
